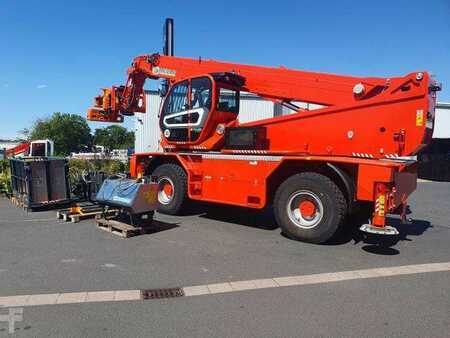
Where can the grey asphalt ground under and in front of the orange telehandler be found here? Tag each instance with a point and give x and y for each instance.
(41, 255)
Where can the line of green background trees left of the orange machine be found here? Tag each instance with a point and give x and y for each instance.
(71, 133)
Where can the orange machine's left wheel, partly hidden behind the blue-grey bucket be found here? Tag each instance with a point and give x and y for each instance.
(172, 192)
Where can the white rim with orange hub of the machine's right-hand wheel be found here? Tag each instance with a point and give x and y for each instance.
(305, 209)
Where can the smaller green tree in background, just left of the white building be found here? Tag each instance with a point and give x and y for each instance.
(114, 137)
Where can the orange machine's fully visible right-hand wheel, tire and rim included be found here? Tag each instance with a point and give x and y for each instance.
(309, 207)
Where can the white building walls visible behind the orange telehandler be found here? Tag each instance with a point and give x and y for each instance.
(252, 108)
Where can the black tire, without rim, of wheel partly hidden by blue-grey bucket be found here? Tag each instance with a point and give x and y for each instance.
(177, 175)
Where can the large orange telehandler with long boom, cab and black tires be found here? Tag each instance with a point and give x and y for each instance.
(315, 167)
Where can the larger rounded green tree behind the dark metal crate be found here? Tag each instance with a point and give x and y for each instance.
(69, 132)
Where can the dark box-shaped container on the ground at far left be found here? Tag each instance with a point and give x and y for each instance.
(40, 182)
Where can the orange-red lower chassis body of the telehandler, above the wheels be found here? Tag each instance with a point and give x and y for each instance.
(242, 179)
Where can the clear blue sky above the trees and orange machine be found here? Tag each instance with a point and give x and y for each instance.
(56, 55)
